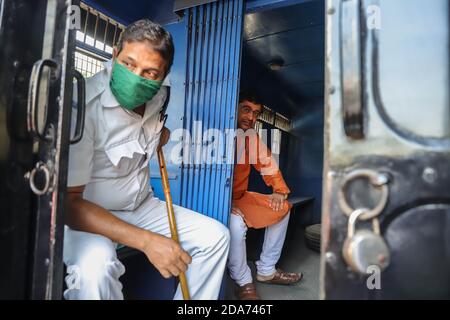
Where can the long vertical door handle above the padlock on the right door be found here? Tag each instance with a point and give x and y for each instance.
(351, 61)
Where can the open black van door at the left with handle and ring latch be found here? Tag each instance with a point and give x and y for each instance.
(35, 94)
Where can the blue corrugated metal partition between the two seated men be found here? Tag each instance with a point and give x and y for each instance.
(212, 81)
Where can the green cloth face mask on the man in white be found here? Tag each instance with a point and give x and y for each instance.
(131, 90)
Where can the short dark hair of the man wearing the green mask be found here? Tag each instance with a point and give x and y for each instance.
(146, 30)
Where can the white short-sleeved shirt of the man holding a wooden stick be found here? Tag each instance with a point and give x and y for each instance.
(111, 159)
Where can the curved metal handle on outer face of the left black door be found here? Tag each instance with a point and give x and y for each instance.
(33, 97)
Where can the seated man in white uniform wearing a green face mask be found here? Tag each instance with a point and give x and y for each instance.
(110, 200)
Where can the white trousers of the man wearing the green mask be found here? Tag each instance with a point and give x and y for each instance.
(94, 270)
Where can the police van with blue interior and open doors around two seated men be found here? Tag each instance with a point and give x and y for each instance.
(356, 109)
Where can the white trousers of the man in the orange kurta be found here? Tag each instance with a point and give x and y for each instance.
(273, 244)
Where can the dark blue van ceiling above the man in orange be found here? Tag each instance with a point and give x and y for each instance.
(294, 34)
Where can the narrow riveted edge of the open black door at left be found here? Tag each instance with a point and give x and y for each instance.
(47, 268)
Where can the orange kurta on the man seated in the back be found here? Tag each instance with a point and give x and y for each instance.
(255, 207)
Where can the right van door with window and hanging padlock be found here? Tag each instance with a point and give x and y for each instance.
(387, 150)
